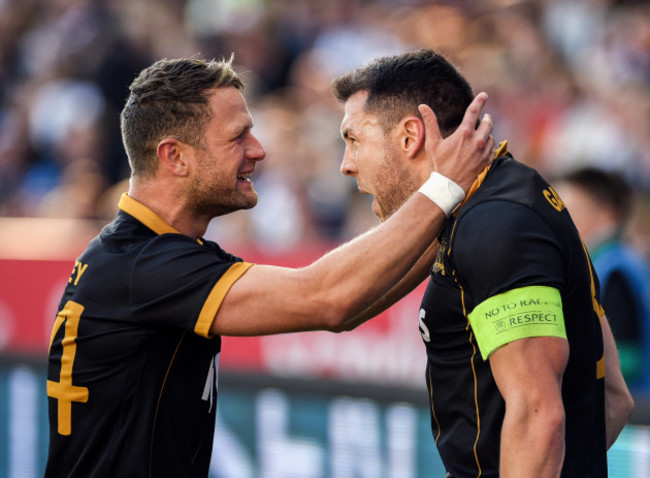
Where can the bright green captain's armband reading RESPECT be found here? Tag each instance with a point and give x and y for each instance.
(534, 311)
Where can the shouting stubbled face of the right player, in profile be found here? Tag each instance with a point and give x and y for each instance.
(372, 157)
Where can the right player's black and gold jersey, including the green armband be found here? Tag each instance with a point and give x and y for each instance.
(512, 234)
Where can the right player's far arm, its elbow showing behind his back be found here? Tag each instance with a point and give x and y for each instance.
(619, 404)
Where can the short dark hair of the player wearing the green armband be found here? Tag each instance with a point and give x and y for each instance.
(396, 85)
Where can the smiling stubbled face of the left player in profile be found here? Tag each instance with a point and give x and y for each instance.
(221, 181)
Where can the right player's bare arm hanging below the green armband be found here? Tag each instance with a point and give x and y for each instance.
(529, 373)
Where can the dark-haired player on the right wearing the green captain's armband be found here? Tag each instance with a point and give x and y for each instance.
(522, 371)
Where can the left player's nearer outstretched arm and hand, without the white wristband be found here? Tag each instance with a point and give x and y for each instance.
(345, 282)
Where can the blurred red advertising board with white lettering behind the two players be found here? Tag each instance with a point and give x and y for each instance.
(388, 349)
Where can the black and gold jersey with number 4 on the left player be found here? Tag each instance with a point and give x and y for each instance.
(132, 369)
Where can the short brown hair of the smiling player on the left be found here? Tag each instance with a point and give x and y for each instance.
(170, 98)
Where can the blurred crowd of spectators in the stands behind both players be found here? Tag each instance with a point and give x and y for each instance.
(569, 86)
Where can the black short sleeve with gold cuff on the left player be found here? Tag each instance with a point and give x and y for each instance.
(178, 283)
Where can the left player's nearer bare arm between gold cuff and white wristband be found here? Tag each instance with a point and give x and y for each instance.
(337, 287)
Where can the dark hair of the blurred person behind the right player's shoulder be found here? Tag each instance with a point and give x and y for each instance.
(607, 188)
